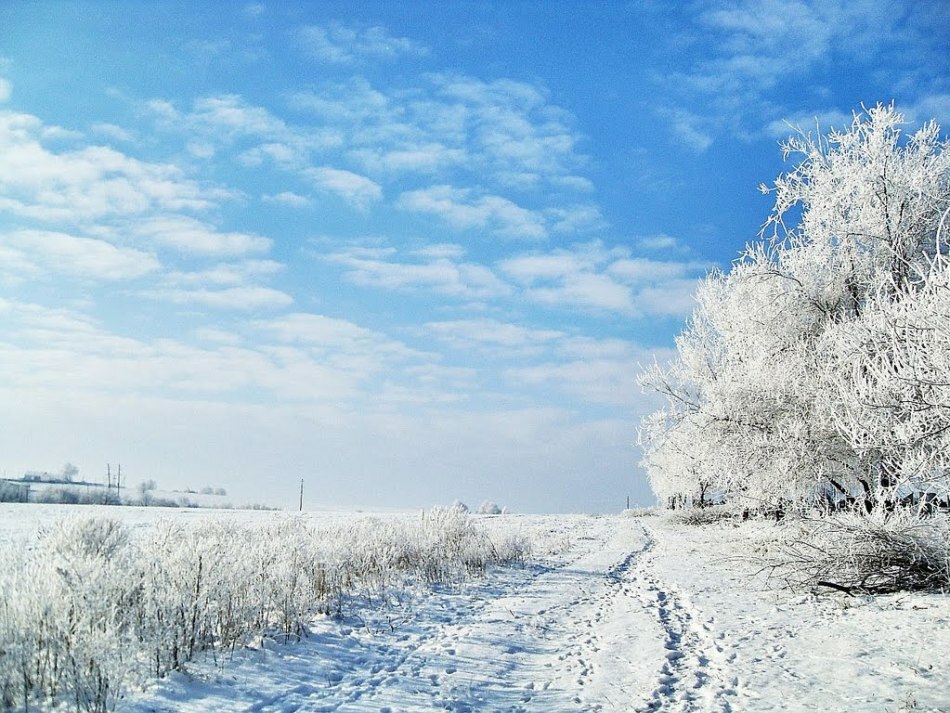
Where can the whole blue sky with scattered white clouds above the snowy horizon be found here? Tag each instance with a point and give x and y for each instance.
(407, 252)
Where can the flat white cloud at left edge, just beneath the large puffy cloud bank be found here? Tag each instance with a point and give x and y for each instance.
(49, 252)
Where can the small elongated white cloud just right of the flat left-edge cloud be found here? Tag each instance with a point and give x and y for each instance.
(191, 236)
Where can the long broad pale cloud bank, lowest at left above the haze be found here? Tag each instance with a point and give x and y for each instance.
(67, 353)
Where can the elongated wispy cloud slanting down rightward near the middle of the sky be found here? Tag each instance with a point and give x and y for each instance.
(462, 208)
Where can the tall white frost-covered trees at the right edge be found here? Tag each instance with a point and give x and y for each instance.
(809, 369)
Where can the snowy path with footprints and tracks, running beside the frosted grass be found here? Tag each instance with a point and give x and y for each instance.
(591, 631)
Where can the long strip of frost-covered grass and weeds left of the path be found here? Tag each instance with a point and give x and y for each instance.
(91, 606)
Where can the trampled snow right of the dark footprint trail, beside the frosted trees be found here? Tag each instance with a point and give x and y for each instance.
(760, 649)
